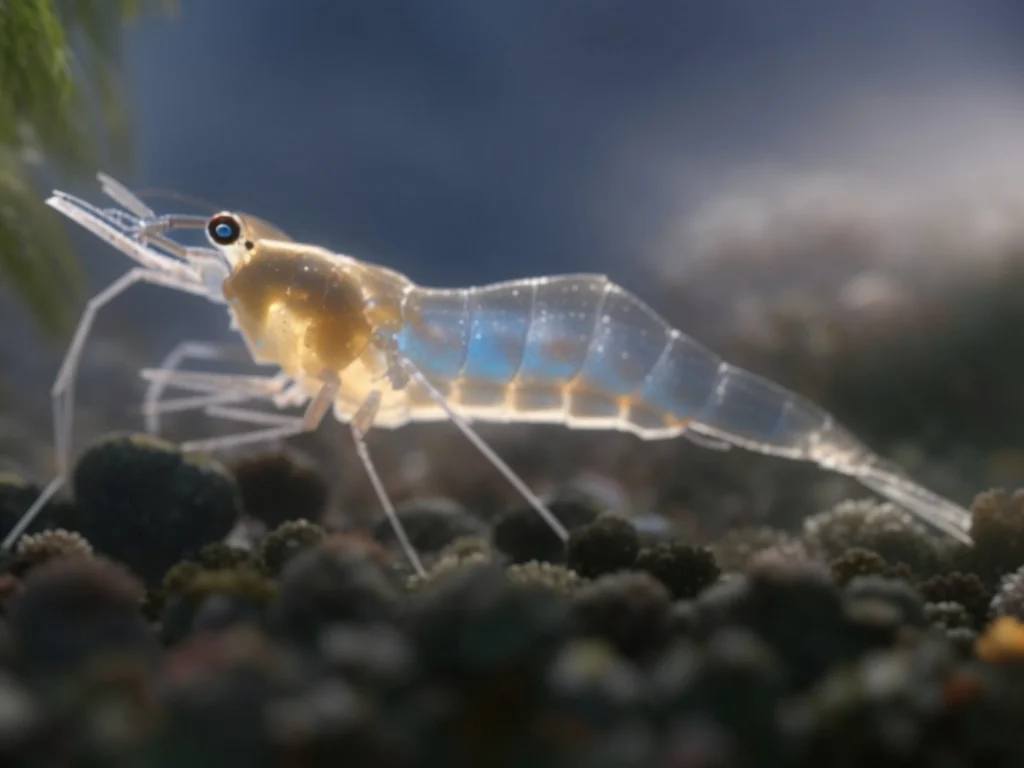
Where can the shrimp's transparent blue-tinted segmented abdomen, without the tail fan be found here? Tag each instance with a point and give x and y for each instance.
(582, 351)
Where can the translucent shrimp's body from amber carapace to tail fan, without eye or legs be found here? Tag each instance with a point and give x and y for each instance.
(575, 350)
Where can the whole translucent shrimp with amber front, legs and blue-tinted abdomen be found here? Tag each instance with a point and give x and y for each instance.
(379, 351)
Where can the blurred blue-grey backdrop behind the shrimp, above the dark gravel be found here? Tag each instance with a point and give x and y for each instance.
(829, 193)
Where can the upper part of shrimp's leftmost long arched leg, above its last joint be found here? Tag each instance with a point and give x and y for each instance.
(63, 393)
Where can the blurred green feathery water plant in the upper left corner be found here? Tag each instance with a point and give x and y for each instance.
(60, 66)
